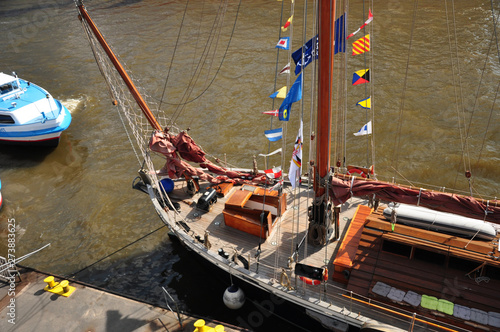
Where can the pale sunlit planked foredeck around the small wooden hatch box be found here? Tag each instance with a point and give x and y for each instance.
(277, 250)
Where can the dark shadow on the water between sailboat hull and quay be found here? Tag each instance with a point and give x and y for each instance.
(196, 288)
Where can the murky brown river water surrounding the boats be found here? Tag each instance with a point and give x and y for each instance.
(78, 197)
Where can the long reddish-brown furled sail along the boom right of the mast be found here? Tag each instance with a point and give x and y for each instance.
(341, 190)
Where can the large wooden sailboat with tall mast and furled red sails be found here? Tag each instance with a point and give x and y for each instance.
(336, 251)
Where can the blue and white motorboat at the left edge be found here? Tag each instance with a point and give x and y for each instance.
(29, 114)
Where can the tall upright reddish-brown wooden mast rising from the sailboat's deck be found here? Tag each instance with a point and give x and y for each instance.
(321, 210)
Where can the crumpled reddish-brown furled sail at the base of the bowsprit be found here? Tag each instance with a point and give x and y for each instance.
(175, 147)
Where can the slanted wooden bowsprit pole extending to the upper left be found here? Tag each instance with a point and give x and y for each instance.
(130, 85)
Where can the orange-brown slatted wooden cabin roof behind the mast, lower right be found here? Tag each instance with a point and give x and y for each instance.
(439, 265)
